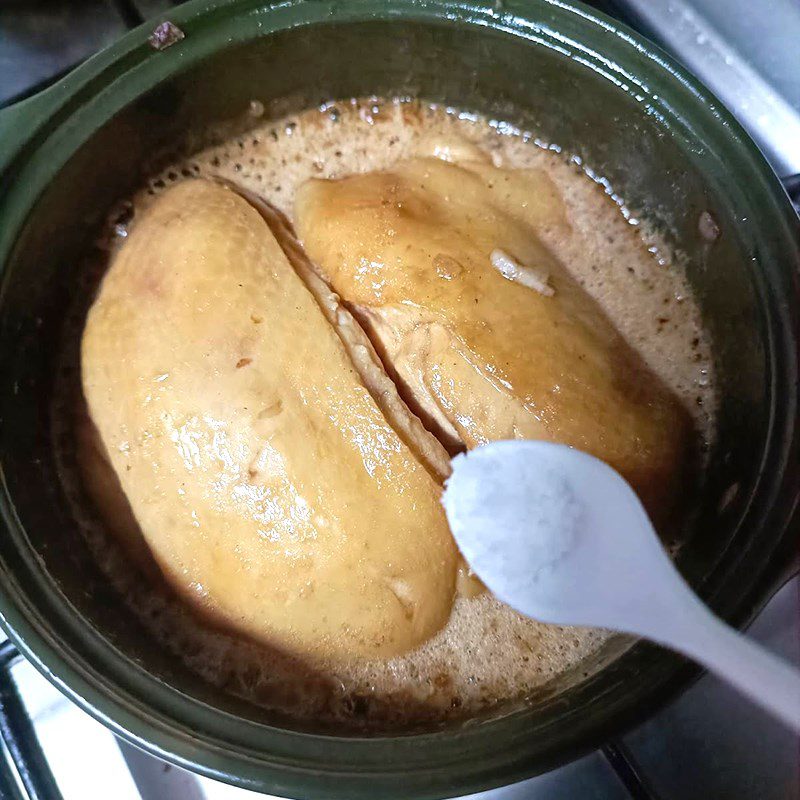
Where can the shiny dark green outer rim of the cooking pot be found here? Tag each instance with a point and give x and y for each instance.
(178, 728)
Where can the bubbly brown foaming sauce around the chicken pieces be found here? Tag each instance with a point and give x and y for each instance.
(487, 654)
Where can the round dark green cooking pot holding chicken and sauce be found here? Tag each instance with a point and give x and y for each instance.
(574, 78)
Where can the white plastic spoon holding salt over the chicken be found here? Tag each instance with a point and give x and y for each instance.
(560, 536)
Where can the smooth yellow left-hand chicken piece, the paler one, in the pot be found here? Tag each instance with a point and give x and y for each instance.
(274, 491)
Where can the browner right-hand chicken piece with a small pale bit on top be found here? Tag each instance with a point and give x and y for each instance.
(485, 331)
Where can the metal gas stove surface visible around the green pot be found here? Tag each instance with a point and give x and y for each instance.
(709, 744)
